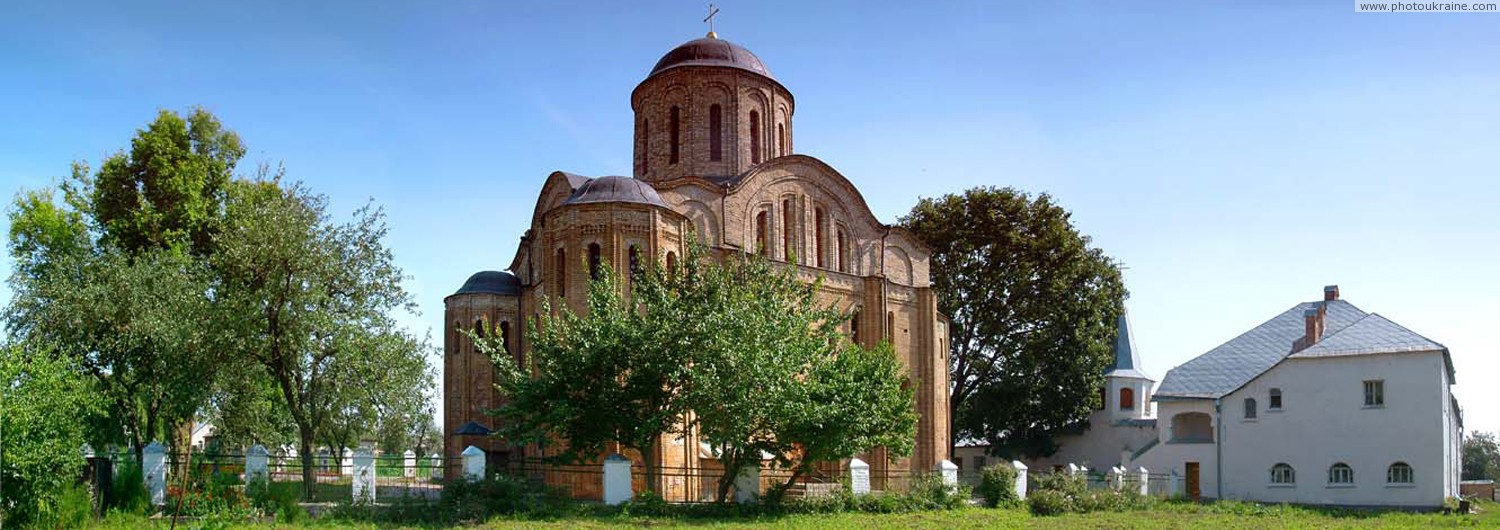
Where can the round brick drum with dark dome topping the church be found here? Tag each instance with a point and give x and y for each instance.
(709, 109)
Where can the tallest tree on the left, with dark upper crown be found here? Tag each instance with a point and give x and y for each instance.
(113, 274)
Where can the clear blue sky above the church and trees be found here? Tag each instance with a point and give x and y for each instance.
(1234, 155)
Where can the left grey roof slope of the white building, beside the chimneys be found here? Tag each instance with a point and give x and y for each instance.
(1243, 358)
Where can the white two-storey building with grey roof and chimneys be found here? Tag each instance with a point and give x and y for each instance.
(1322, 405)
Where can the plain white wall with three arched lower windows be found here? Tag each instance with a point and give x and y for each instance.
(1325, 421)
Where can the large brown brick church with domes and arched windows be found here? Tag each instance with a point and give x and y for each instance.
(715, 160)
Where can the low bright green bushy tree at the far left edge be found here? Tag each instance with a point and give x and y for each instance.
(44, 409)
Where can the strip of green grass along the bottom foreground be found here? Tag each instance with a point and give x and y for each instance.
(1168, 516)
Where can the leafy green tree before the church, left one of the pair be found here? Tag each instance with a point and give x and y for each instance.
(599, 379)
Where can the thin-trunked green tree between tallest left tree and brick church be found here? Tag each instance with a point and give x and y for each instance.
(311, 303)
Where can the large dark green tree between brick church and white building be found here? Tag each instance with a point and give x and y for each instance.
(1033, 309)
